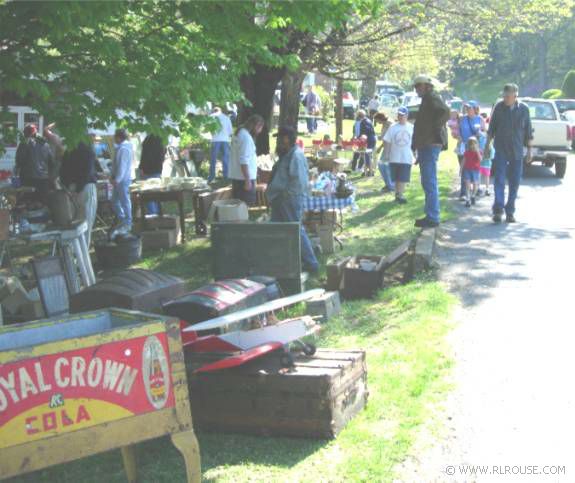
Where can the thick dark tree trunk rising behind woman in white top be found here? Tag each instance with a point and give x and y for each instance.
(259, 88)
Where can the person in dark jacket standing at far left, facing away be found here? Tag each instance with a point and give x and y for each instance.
(35, 163)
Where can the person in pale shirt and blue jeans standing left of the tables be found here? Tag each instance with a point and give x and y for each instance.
(121, 179)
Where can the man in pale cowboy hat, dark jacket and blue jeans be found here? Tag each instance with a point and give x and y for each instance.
(429, 138)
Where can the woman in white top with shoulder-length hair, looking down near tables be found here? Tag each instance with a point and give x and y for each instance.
(243, 164)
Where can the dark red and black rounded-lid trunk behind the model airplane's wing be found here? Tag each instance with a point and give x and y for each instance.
(217, 299)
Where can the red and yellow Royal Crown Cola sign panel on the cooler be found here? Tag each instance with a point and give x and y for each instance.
(58, 393)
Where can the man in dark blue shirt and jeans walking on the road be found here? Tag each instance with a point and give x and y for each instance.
(510, 129)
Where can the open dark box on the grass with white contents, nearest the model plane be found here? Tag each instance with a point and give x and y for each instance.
(358, 282)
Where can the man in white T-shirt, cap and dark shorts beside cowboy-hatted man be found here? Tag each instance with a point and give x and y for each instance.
(397, 146)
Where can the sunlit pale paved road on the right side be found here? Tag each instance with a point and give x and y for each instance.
(514, 401)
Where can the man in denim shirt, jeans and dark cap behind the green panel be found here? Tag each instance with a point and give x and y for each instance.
(287, 189)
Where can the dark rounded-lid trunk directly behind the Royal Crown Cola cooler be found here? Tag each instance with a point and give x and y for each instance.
(135, 289)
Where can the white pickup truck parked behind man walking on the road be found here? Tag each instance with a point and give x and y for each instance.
(552, 135)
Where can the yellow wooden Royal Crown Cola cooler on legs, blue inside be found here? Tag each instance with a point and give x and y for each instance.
(92, 382)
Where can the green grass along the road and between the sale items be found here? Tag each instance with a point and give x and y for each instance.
(402, 330)
